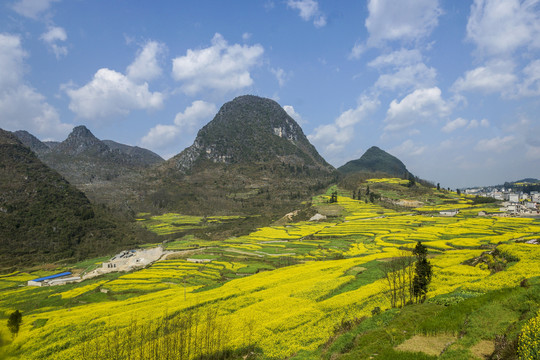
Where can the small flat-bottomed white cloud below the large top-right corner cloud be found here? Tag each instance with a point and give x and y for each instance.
(495, 76)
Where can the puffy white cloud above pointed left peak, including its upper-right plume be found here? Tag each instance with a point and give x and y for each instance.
(111, 93)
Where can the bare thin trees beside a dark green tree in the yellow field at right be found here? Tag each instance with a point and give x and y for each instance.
(408, 277)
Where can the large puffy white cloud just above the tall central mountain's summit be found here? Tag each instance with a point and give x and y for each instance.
(218, 67)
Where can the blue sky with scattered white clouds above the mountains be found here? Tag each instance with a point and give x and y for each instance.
(451, 88)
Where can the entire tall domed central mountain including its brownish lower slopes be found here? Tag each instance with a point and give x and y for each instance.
(252, 158)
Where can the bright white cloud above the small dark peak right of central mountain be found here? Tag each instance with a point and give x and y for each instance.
(420, 106)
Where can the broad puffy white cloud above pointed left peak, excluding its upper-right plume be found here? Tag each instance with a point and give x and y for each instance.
(111, 93)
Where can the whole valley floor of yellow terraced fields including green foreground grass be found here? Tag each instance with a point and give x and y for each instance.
(300, 289)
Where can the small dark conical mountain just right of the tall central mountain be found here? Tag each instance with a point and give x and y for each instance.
(376, 160)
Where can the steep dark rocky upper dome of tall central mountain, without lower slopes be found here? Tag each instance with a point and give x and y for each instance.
(251, 129)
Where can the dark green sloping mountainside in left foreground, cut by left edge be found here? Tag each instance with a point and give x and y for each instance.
(43, 218)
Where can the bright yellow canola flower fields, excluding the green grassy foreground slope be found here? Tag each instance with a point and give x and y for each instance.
(283, 289)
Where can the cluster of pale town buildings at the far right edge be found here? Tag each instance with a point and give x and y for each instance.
(515, 203)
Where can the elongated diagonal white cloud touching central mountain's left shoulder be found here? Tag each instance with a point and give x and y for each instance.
(161, 136)
